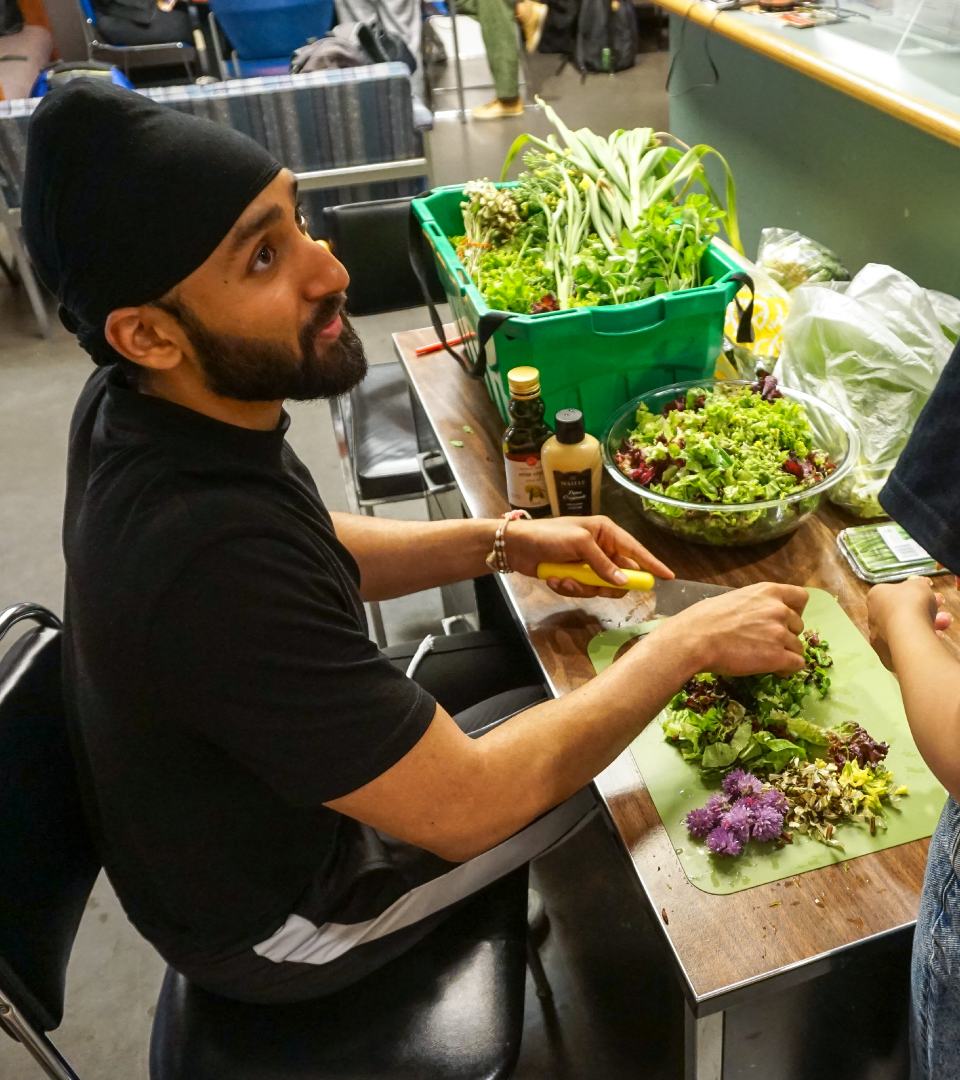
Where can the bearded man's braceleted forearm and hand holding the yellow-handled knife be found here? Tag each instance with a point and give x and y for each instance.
(397, 558)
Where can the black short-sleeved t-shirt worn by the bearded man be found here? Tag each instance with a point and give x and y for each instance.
(218, 671)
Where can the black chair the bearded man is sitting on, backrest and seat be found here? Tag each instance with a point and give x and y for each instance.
(452, 1008)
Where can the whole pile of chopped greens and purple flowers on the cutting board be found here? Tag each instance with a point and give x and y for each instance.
(816, 778)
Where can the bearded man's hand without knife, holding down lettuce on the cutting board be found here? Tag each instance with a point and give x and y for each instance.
(751, 631)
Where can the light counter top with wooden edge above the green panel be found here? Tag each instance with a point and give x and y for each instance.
(788, 47)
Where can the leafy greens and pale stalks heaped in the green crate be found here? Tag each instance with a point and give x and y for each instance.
(594, 222)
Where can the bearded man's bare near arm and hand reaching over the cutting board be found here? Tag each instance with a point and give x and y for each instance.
(458, 796)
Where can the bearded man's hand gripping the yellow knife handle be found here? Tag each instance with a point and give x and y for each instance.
(594, 541)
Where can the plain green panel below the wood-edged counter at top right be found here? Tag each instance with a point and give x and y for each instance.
(810, 158)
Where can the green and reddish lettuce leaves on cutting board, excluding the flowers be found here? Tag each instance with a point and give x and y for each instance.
(753, 722)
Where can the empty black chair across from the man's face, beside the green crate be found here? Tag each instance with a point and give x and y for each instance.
(388, 451)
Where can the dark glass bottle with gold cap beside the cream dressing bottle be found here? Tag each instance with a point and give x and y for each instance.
(526, 489)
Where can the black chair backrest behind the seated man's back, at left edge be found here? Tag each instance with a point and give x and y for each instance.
(48, 863)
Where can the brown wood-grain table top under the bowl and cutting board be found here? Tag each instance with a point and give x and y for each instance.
(721, 943)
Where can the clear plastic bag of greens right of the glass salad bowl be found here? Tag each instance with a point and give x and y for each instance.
(873, 348)
